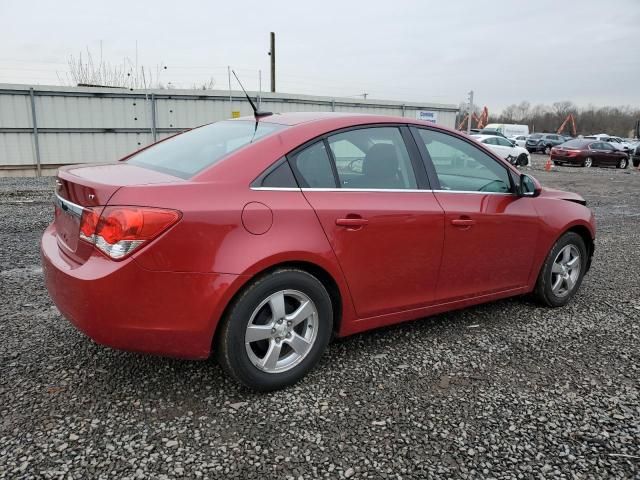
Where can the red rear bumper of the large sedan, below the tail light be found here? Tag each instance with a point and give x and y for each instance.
(124, 306)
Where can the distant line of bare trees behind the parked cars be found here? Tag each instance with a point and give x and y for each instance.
(619, 121)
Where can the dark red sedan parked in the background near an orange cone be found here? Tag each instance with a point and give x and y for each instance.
(588, 153)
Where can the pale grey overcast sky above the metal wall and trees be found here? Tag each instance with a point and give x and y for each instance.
(506, 51)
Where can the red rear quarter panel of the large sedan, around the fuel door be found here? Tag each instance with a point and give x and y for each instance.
(211, 237)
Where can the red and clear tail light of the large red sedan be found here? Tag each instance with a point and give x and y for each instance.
(118, 231)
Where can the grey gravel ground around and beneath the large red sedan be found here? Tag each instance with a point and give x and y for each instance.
(504, 390)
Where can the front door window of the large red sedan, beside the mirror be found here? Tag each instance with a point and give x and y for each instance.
(461, 166)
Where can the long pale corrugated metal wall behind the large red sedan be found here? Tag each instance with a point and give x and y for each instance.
(90, 125)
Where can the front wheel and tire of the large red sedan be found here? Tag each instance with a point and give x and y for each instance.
(563, 271)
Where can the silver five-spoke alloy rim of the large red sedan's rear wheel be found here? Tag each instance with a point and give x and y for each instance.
(281, 331)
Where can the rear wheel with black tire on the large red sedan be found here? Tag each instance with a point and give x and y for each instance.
(276, 331)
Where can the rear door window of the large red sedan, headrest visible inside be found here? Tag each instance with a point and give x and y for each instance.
(372, 158)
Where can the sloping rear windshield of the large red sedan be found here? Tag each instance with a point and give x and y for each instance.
(188, 153)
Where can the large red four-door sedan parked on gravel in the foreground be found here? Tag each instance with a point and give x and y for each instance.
(260, 239)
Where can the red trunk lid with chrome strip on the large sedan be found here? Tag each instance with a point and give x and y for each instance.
(79, 187)
